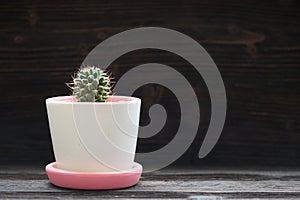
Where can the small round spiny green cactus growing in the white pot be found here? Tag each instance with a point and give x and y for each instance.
(91, 84)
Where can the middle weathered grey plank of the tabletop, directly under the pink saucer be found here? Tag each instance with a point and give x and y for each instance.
(183, 186)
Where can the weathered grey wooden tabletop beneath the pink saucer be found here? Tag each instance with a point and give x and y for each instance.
(172, 183)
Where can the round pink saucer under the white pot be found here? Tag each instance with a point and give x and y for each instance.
(93, 180)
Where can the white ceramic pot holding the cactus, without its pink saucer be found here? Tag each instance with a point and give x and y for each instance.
(94, 137)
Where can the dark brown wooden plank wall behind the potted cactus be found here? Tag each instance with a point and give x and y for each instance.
(255, 44)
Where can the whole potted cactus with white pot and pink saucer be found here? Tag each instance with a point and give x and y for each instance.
(94, 134)
